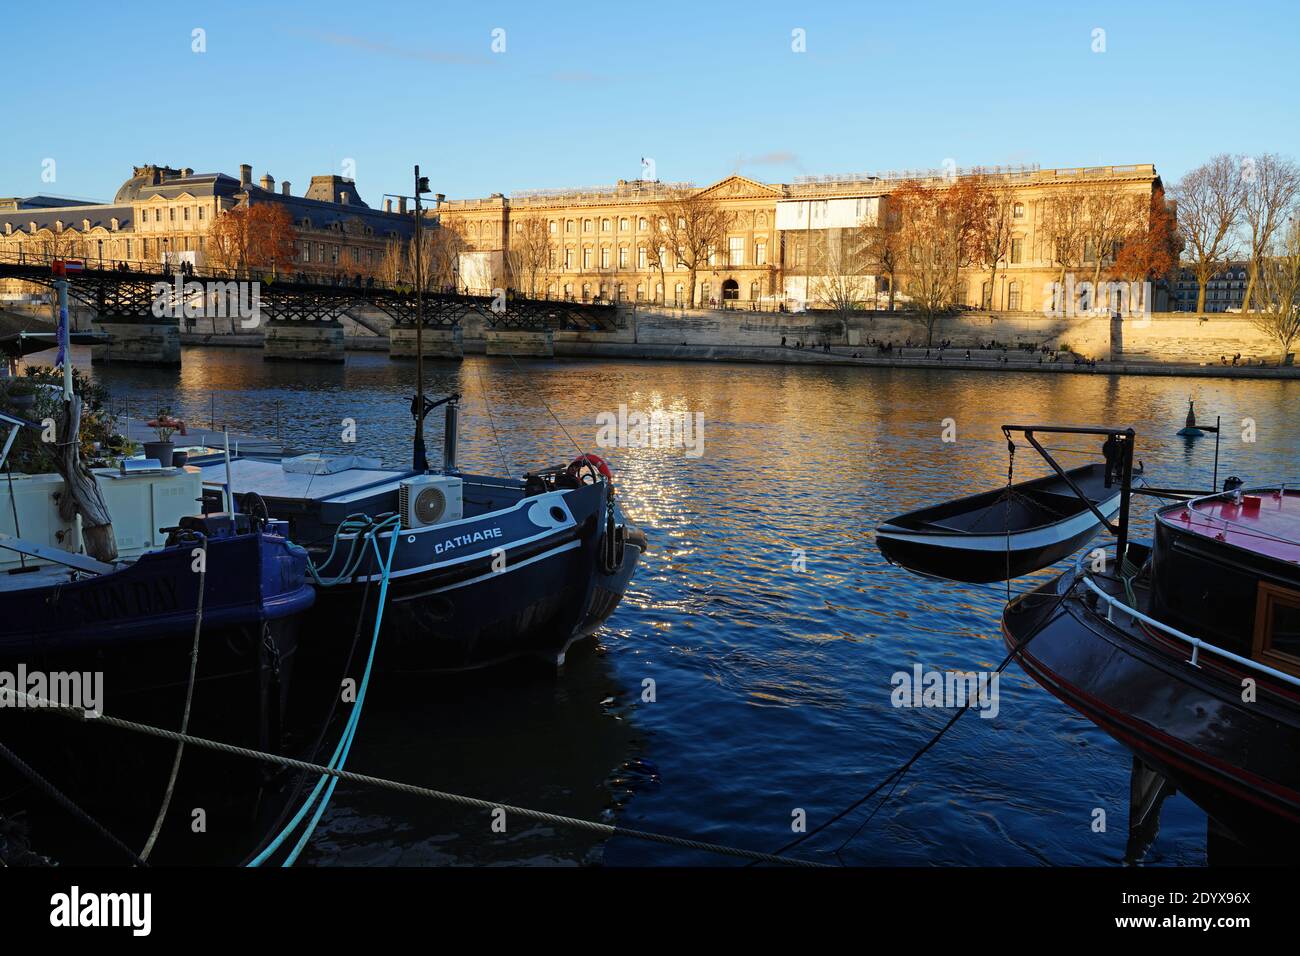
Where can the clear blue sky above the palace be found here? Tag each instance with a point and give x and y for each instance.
(584, 90)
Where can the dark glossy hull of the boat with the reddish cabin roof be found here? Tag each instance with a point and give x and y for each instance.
(1240, 762)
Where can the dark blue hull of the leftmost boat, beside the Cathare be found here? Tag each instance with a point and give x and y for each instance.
(136, 630)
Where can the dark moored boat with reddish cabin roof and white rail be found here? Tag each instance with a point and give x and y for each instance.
(1188, 651)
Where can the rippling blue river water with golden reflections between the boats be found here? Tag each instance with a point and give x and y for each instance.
(764, 615)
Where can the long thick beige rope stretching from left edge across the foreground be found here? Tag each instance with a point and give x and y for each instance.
(409, 789)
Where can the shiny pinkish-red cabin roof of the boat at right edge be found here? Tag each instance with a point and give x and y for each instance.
(1266, 524)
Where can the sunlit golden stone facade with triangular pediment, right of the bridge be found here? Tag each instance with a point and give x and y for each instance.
(600, 237)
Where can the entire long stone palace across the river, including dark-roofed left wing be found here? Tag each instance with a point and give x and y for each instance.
(597, 244)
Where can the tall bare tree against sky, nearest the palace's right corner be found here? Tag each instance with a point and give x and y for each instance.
(1210, 205)
